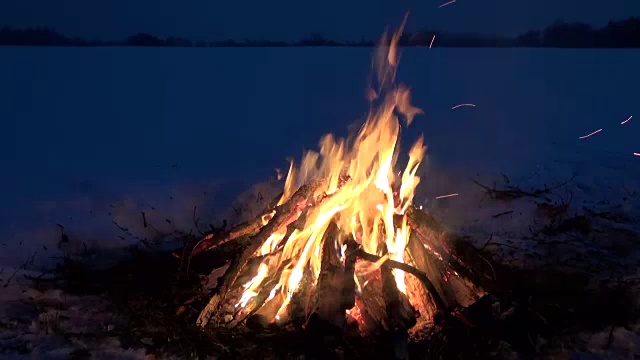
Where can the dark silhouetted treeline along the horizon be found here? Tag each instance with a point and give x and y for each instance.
(616, 34)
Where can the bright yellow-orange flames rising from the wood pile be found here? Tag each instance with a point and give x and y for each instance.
(365, 195)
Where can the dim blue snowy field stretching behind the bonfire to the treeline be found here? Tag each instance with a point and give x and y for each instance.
(99, 135)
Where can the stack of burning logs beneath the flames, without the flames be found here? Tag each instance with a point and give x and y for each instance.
(352, 287)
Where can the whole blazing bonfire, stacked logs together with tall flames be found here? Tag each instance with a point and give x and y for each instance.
(344, 241)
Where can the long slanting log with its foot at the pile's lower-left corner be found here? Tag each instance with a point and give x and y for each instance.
(286, 213)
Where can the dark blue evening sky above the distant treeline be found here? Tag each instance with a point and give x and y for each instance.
(291, 19)
